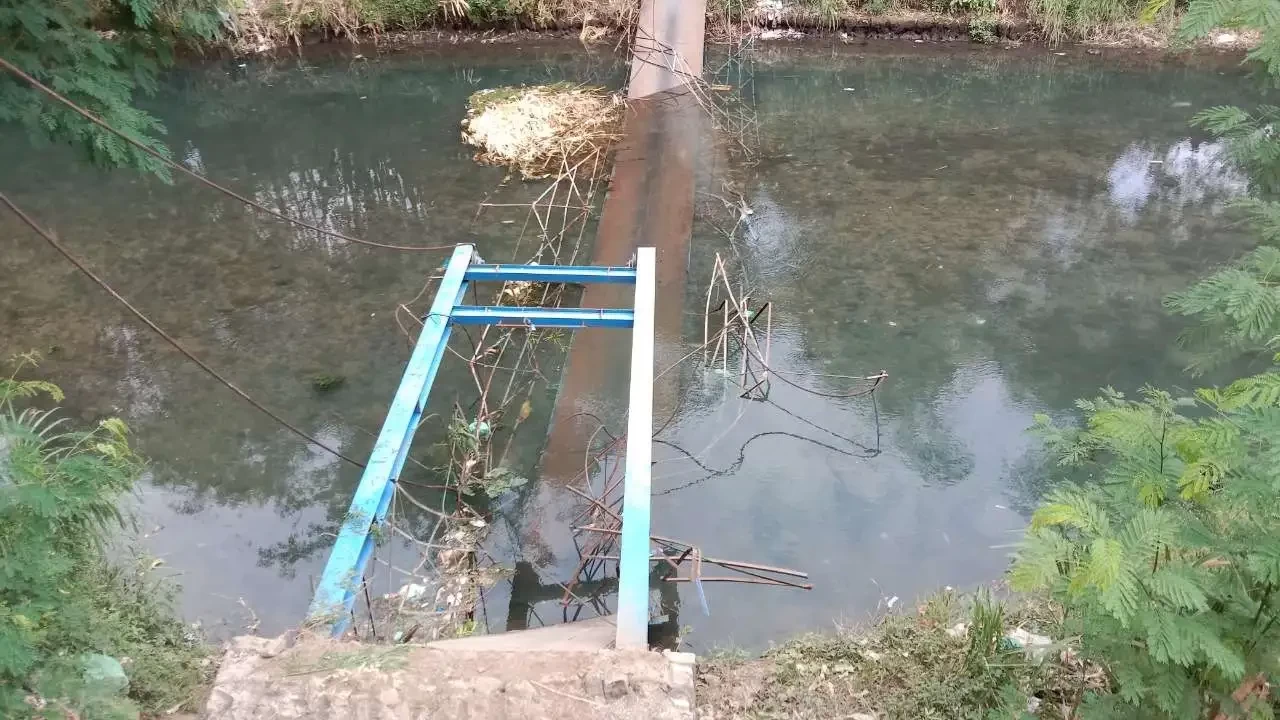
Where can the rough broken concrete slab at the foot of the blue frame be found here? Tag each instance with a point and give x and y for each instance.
(321, 680)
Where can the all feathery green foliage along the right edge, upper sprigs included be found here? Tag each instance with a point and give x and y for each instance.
(1168, 560)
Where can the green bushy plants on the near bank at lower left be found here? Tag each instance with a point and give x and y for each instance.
(70, 621)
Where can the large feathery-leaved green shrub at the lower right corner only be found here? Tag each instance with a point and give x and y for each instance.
(1168, 566)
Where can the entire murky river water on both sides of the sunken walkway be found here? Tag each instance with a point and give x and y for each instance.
(994, 231)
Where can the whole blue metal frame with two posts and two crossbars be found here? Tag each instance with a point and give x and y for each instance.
(342, 576)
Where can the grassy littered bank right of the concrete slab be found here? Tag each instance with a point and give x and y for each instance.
(948, 659)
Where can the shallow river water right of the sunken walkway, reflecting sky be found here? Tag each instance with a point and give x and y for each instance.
(998, 235)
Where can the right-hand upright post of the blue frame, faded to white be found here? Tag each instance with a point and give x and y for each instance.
(634, 567)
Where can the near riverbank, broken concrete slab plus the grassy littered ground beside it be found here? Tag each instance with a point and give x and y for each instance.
(950, 657)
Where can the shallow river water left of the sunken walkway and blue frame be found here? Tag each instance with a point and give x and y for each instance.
(240, 507)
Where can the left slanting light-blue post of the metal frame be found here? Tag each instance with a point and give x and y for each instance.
(351, 552)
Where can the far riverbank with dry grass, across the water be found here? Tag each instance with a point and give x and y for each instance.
(262, 26)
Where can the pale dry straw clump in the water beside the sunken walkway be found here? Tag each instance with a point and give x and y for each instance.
(545, 131)
